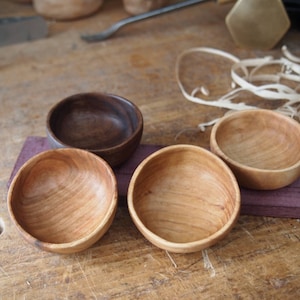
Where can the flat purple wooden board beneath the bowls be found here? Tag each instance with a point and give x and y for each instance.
(283, 202)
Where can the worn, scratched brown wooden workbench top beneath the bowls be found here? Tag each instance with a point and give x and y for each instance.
(260, 257)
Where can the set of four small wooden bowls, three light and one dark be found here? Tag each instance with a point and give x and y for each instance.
(182, 198)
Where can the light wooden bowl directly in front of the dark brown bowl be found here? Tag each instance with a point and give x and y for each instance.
(63, 200)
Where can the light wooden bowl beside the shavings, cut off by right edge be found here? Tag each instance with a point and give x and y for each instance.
(262, 148)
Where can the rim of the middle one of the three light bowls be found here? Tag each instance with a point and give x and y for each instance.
(185, 246)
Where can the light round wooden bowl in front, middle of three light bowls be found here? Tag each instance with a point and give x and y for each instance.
(183, 198)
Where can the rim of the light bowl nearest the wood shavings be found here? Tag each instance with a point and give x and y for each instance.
(214, 145)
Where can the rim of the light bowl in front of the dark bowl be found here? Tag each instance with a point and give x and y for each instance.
(59, 247)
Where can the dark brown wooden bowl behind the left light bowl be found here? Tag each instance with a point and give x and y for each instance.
(107, 125)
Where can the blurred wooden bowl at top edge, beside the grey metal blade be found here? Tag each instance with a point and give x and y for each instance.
(66, 9)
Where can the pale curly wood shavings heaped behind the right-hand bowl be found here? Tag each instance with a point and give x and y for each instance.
(248, 75)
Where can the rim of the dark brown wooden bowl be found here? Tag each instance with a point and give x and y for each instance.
(120, 99)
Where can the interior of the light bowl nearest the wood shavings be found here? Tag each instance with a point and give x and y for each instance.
(259, 139)
